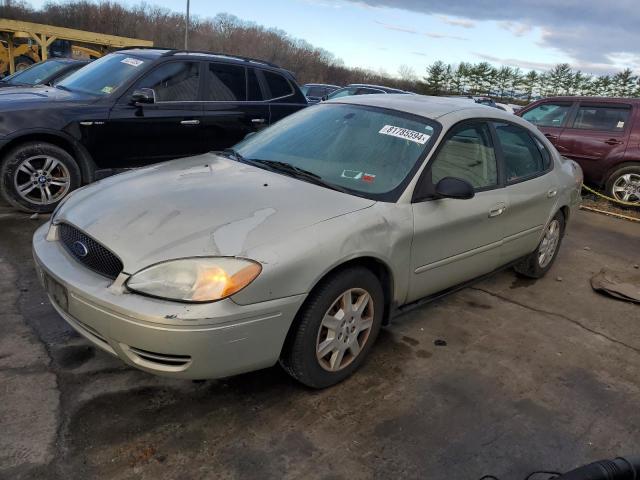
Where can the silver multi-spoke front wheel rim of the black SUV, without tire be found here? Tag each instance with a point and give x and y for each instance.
(42, 180)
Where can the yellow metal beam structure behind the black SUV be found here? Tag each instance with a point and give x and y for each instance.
(31, 41)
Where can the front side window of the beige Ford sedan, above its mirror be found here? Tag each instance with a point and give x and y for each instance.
(467, 154)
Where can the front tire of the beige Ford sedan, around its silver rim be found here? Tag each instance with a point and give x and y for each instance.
(300, 358)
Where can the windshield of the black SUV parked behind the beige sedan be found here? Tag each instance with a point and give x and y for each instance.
(105, 75)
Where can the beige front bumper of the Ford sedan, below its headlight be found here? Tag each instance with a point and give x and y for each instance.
(194, 341)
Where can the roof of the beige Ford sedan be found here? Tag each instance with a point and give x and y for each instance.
(431, 107)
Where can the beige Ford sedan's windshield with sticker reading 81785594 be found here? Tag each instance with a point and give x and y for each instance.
(368, 151)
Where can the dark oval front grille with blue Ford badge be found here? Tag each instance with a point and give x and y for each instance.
(90, 253)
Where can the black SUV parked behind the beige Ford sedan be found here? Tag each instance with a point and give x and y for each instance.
(128, 109)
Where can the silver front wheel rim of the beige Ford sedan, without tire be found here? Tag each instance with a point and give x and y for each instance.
(345, 329)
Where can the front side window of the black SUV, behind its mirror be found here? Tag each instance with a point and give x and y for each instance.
(174, 82)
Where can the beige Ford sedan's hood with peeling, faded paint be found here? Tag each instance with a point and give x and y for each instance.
(204, 205)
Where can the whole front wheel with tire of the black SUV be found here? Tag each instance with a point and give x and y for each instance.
(46, 172)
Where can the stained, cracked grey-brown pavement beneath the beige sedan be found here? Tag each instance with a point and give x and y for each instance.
(503, 378)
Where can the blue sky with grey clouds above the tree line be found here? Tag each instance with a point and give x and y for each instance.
(593, 35)
